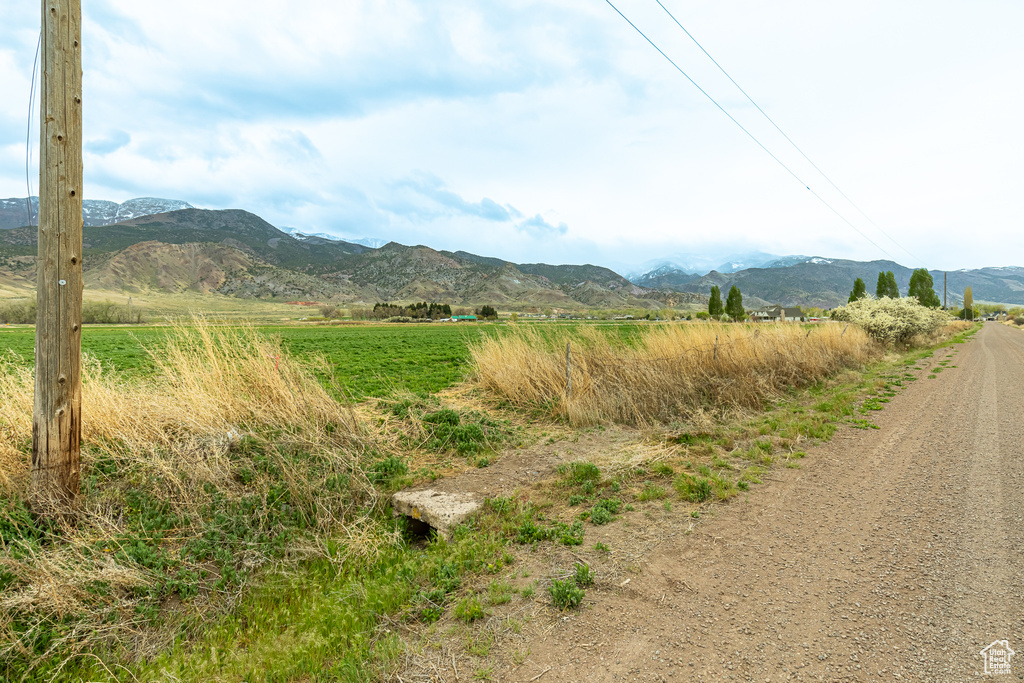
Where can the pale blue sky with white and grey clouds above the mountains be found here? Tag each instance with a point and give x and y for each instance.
(552, 132)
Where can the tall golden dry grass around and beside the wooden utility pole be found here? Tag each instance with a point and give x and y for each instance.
(214, 386)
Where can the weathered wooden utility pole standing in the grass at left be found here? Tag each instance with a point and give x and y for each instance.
(57, 421)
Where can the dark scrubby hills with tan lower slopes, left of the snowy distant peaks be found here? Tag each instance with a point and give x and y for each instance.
(239, 254)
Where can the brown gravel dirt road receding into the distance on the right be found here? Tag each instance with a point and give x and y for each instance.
(894, 554)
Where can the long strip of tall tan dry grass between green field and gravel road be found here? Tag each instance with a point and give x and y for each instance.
(667, 372)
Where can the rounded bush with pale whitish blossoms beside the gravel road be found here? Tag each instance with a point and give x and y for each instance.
(892, 322)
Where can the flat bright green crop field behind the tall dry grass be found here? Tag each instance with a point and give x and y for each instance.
(366, 360)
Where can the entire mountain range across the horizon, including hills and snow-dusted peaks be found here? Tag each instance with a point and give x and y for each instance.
(169, 246)
